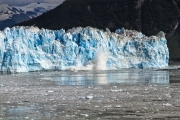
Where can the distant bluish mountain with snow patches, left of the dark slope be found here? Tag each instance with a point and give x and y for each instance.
(11, 15)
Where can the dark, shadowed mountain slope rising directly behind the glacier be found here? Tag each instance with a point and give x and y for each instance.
(148, 16)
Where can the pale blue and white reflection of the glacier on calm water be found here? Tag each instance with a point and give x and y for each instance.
(108, 77)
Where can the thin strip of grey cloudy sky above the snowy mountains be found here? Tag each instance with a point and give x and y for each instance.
(24, 2)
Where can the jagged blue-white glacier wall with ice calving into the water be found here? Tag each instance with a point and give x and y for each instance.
(24, 49)
